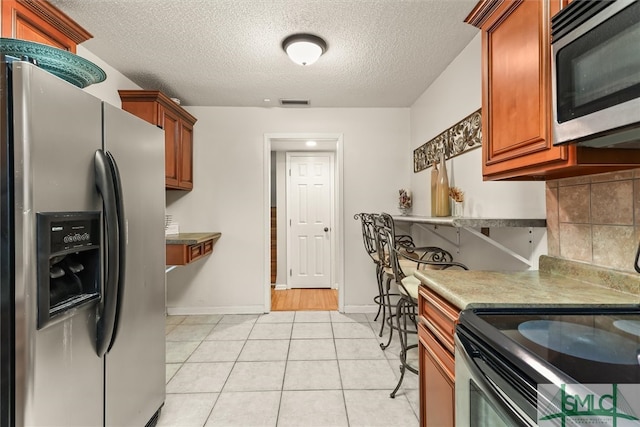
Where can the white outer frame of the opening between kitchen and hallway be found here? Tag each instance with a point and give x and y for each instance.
(336, 140)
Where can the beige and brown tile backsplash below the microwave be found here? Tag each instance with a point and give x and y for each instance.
(595, 218)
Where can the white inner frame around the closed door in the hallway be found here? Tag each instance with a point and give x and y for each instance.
(332, 240)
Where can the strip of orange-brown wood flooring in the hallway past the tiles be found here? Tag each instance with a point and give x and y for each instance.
(304, 299)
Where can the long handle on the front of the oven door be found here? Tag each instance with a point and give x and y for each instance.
(467, 355)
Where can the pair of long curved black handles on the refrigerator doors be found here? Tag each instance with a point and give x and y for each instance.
(109, 187)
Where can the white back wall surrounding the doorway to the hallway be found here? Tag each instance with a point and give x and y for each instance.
(228, 197)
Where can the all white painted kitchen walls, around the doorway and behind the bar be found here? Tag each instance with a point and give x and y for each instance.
(378, 148)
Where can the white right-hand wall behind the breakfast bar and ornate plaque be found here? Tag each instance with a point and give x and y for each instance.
(454, 95)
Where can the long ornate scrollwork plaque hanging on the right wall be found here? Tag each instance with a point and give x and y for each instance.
(463, 136)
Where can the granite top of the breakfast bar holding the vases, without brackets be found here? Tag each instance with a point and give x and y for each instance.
(472, 222)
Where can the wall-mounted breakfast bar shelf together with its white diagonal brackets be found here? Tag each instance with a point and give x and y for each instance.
(479, 227)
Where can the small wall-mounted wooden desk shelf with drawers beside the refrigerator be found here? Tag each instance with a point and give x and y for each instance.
(185, 248)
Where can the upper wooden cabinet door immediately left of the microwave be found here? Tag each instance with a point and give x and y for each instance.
(517, 88)
